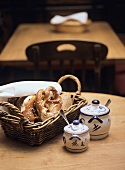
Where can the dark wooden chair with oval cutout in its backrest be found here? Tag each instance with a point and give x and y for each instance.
(70, 55)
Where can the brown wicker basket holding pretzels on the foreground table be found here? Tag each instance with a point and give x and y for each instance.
(15, 125)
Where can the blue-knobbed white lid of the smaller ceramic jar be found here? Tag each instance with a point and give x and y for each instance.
(76, 128)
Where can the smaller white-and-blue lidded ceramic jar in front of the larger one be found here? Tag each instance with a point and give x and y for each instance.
(76, 136)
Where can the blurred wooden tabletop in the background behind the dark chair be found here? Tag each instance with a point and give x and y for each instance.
(27, 34)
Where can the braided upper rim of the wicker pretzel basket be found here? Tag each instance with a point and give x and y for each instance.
(4, 115)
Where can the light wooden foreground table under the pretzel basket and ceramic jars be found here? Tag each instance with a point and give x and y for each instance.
(108, 153)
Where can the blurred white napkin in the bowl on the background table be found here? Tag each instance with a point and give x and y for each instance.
(80, 16)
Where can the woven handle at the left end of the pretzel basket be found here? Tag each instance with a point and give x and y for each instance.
(13, 108)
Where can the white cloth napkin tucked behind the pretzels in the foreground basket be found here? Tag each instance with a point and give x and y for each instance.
(25, 88)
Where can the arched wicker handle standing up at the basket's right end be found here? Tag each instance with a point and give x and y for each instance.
(73, 78)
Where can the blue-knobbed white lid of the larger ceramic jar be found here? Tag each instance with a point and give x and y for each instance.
(95, 109)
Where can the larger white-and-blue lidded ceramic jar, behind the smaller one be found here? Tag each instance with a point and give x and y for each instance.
(96, 117)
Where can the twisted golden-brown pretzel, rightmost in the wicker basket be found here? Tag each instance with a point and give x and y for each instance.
(48, 102)
